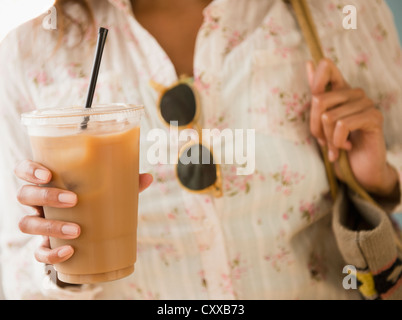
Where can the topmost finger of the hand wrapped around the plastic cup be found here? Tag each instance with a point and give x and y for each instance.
(32, 172)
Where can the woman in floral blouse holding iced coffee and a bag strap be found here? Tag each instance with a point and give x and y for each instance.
(269, 236)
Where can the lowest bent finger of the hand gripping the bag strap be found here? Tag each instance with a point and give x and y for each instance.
(370, 120)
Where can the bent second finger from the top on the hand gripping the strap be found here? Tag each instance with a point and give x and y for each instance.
(323, 102)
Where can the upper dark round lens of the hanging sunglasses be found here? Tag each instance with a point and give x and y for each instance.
(178, 104)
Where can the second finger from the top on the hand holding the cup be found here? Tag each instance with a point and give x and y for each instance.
(40, 196)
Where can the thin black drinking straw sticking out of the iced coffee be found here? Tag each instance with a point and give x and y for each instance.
(95, 71)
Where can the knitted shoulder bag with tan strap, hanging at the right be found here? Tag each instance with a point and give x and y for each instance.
(366, 237)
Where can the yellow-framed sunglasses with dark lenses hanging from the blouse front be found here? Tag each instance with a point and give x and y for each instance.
(196, 170)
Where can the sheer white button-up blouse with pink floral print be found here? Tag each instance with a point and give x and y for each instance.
(269, 236)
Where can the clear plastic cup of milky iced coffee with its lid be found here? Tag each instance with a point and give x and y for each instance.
(98, 162)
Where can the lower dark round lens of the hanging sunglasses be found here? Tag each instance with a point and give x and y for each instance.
(196, 169)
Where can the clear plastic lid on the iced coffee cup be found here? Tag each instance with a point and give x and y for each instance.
(72, 116)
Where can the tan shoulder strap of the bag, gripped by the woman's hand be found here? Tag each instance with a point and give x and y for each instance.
(310, 34)
